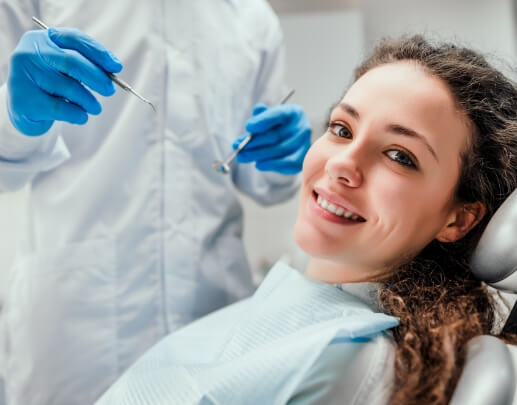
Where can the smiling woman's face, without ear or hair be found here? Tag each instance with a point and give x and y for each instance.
(379, 184)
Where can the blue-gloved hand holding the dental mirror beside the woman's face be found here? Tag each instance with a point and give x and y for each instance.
(281, 138)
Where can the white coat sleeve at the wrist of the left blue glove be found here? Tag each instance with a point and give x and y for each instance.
(21, 157)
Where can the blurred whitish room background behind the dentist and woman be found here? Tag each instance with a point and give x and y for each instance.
(325, 39)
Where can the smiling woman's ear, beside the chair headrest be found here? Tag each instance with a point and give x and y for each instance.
(461, 220)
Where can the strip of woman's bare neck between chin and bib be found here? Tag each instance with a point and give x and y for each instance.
(339, 273)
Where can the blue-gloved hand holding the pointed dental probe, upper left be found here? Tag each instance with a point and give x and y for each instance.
(49, 70)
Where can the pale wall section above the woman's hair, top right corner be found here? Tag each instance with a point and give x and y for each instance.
(488, 26)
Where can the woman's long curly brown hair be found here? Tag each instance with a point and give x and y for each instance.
(440, 304)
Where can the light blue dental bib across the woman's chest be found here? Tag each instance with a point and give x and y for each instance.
(254, 352)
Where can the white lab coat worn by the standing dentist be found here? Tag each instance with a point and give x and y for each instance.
(130, 232)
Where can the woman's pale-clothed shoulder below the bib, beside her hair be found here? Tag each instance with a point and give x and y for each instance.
(353, 372)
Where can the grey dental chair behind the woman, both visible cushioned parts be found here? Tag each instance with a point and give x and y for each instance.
(489, 376)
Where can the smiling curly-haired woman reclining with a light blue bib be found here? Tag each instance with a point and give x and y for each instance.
(417, 157)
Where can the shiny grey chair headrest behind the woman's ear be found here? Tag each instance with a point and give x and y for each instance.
(495, 257)
